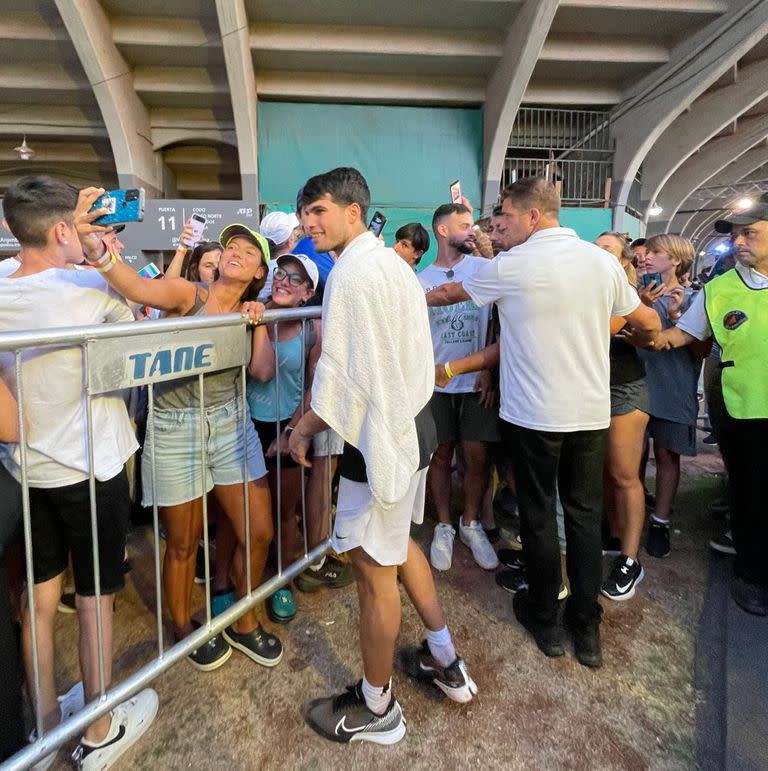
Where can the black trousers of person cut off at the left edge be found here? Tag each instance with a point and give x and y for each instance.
(11, 717)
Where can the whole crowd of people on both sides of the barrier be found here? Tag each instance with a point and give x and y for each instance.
(528, 372)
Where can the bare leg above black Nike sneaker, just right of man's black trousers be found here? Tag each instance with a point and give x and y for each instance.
(624, 452)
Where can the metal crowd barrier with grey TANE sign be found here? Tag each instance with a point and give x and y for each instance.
(119, 356)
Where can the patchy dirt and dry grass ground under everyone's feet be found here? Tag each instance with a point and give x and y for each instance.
(637, 712)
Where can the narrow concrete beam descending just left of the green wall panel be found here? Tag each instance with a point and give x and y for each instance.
(233, 25)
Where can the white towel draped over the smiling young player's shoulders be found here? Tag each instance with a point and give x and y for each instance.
(376, 371)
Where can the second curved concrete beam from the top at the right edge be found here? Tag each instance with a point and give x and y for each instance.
(708, 116)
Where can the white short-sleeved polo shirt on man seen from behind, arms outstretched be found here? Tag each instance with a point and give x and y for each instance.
(556, 294)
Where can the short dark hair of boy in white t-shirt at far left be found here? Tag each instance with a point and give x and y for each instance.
(33, 204)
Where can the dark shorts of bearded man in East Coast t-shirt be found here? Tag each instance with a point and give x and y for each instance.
(461, 418)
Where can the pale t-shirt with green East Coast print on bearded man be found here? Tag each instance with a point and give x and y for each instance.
(457, 330)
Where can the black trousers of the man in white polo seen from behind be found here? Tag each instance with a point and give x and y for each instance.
(572, 463)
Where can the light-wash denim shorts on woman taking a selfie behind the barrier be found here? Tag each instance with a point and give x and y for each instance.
(176, 447)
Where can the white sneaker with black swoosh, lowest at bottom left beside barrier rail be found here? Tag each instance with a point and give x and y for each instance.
(130, 720)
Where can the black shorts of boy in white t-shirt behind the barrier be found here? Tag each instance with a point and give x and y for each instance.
(61, 525)
